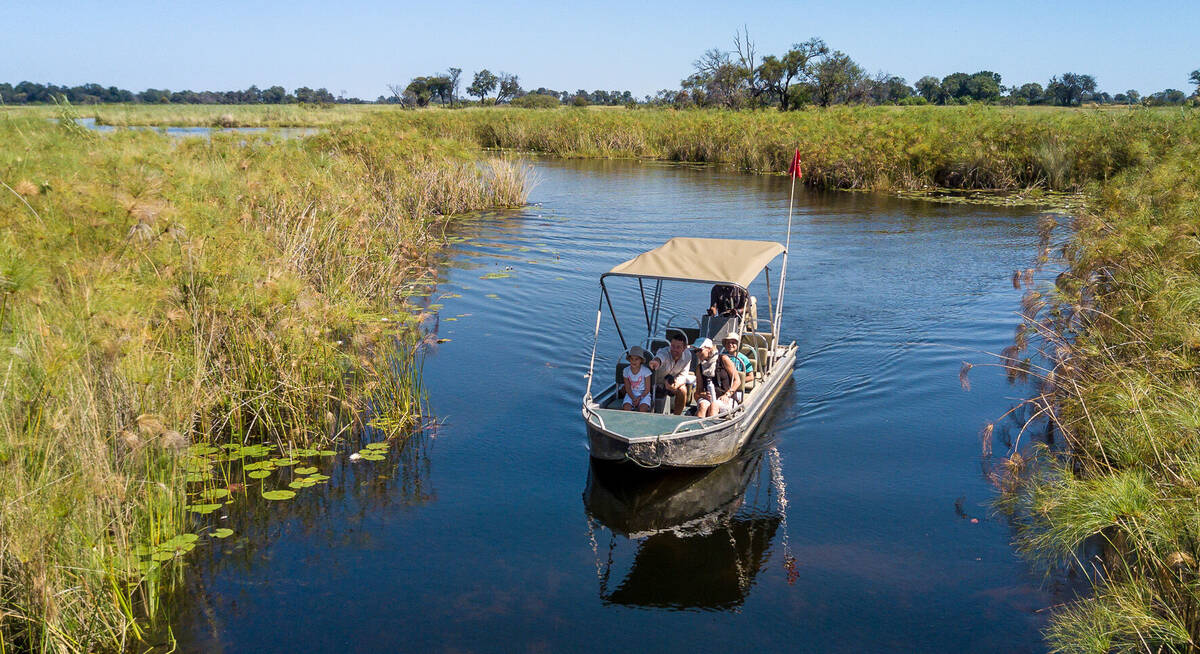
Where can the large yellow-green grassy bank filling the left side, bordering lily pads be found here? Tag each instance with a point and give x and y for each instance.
(161, 295)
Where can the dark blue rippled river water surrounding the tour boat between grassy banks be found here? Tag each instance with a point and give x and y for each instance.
(838, 531)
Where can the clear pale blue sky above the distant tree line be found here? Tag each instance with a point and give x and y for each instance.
(359, 47)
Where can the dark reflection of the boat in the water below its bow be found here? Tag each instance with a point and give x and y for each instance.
(701, 537)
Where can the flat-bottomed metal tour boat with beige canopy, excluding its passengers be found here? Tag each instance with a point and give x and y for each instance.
(661, 439)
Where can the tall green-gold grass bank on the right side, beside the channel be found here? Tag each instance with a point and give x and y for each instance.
(1124, 386)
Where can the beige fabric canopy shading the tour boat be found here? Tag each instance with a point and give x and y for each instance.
(717, 261)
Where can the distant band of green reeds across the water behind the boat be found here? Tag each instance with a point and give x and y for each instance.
(872, 148)
